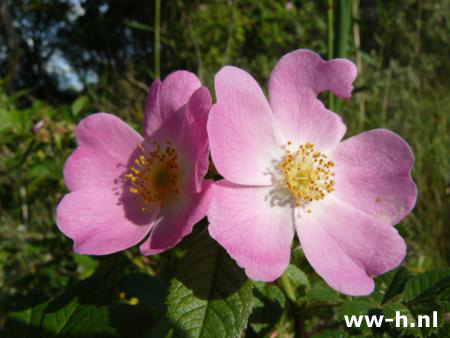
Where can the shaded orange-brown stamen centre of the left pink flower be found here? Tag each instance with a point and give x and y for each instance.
(155, 174)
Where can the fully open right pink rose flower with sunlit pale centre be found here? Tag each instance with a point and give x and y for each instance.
(285, 168)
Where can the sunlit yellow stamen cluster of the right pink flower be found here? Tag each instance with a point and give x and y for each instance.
(307, 174)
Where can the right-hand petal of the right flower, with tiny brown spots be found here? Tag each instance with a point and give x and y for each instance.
(373, 173)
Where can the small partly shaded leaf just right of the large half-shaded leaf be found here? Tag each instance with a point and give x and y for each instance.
(268, 304)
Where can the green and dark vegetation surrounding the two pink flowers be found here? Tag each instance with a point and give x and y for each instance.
(62, 60)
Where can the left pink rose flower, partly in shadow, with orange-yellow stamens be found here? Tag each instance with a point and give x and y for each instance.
(124, 186)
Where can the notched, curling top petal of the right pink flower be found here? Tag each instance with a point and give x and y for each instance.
(294, 84)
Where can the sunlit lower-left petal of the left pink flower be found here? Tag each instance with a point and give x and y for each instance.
(102, 221)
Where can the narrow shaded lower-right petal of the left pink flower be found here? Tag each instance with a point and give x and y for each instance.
(177, 220)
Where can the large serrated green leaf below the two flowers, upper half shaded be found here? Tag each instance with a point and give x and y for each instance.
(211, 296)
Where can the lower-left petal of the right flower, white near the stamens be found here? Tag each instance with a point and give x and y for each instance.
(253, 228)
